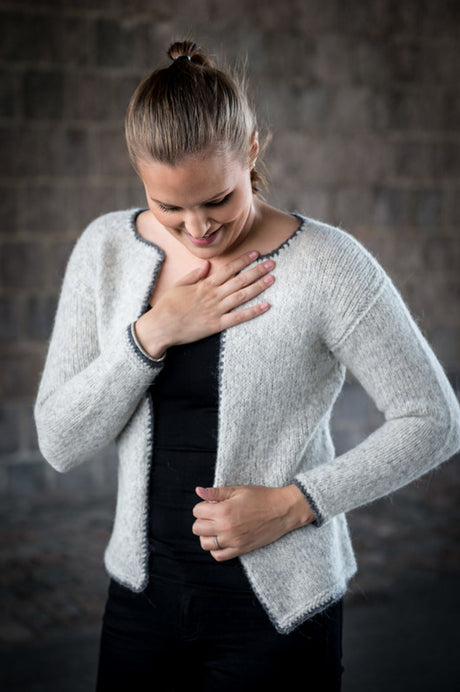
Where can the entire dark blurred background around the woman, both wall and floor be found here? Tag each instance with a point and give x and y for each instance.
(363, 101)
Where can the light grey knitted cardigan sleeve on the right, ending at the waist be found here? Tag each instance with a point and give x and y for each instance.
(387, 353)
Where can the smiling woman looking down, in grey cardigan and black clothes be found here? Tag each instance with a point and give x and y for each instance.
(209, 335)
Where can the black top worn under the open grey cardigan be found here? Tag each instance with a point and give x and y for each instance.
(185, 400)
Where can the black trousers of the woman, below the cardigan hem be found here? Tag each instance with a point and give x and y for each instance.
(175, 638)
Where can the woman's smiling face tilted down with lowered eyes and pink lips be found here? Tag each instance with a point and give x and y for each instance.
(206, 202)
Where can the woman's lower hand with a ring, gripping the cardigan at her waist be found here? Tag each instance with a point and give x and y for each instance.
(246, 517)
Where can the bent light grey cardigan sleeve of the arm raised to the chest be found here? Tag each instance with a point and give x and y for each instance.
(86, 396)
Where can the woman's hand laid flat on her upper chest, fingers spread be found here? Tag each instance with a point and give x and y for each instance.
(200, 305)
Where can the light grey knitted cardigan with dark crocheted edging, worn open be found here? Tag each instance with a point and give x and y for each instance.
(332, 307)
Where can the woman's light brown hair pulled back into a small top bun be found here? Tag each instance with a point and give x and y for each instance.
(189, 108)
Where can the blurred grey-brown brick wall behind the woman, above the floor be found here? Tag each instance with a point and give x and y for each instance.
(362, 99)
